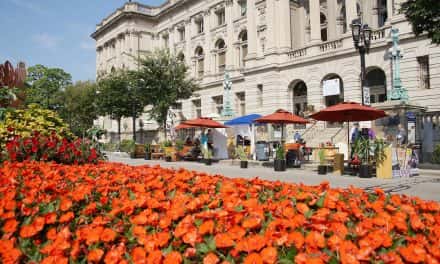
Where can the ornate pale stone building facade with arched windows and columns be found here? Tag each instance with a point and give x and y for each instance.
(279, 53)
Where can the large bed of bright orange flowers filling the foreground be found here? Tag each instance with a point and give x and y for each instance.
(114, 213)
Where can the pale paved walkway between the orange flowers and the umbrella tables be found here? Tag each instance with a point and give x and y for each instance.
(426, 186)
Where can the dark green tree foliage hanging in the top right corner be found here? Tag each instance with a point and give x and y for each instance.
(424, 17)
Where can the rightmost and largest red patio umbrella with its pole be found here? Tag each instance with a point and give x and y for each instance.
(348, 112)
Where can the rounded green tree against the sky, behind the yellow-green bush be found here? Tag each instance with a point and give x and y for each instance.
(45, 83)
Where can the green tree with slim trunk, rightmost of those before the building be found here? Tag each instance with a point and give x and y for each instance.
(163, 79)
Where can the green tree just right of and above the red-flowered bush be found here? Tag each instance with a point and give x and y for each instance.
(79, 106)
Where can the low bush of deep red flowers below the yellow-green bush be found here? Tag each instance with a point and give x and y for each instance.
(51, 148)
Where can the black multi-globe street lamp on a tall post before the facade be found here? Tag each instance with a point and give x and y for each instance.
(362, 40)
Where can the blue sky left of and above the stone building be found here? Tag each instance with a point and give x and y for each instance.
(55, 33)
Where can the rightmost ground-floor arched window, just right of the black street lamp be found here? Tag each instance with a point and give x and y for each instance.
(376, 81)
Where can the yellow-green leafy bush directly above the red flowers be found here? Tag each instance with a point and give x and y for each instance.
(25, 122)
